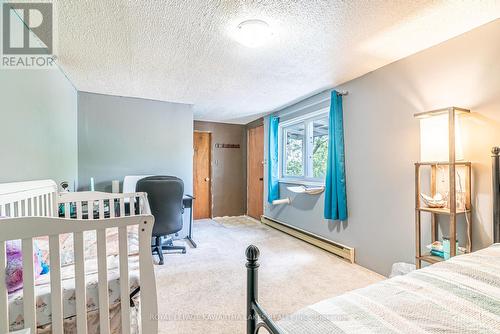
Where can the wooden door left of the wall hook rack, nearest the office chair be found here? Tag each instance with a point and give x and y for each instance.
(202, 176)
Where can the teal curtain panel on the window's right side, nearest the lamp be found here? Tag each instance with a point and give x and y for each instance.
(335, 191)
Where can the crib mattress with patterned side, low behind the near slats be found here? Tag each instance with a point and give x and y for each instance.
(43, 300)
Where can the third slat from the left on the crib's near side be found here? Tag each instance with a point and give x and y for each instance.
(55, 285)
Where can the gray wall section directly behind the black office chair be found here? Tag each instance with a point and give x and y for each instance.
(119, 136)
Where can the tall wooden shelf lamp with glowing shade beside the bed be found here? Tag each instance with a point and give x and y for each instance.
(440, 148)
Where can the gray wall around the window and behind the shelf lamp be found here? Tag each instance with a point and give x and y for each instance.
(382, 143)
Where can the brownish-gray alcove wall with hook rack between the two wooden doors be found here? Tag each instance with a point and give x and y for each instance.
(229, 184)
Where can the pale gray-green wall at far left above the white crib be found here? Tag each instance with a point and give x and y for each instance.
(38, 126)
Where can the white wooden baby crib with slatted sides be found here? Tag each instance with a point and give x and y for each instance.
(32, 209)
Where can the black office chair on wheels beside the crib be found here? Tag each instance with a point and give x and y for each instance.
(165, 200)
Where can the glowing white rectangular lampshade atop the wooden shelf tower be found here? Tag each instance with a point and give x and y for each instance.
(436, 143)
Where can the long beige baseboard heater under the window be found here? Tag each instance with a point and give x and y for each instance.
(344, 252)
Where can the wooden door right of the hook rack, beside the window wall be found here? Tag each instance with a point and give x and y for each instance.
(255, 190)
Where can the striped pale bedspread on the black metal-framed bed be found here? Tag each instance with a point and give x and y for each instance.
(461, 295)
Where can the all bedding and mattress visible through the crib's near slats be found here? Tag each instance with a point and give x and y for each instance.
(43, 300)
